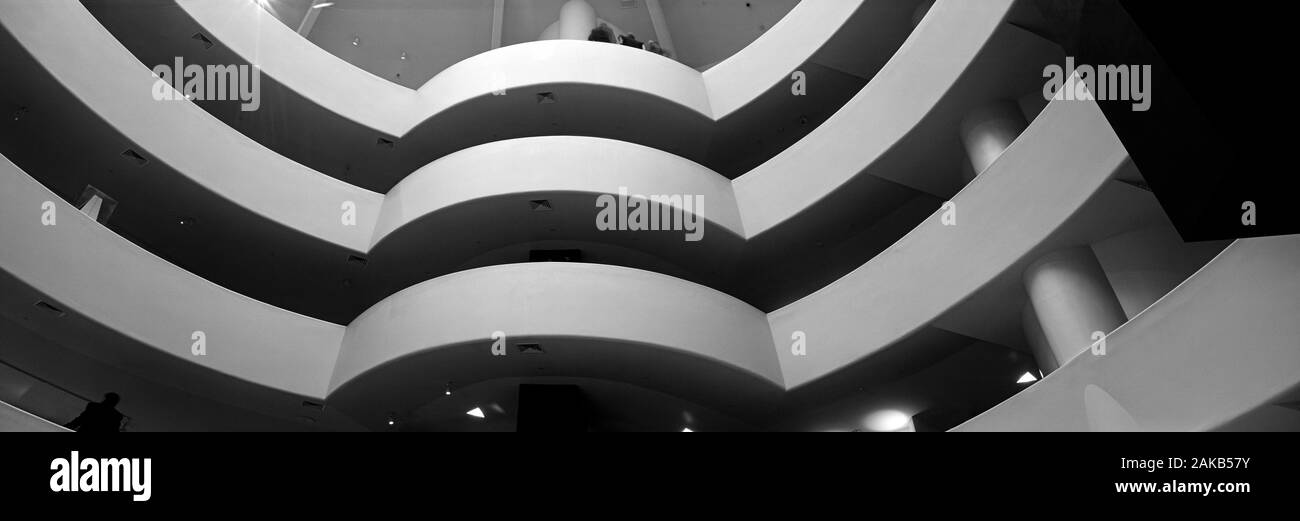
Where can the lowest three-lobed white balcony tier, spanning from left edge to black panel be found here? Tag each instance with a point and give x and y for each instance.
(1037, 190)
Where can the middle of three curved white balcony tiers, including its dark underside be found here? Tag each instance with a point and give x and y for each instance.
(856, 158)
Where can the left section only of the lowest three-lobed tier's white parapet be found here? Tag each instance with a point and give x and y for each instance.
(81, 264)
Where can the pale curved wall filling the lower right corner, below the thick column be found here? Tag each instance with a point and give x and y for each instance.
(1224, 344)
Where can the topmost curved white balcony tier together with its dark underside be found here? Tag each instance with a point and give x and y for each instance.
(326, 114)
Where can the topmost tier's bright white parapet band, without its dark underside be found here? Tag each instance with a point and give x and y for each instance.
(349, 92)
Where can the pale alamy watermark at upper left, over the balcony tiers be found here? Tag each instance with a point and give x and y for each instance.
(209, 84)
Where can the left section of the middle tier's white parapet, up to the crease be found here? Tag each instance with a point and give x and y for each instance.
(105, 76)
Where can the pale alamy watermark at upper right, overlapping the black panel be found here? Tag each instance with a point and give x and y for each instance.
(1099, 84)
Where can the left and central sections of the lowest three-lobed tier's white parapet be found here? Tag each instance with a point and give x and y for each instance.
(161, 306)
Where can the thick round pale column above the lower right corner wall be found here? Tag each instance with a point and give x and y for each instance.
(1072, 299)
